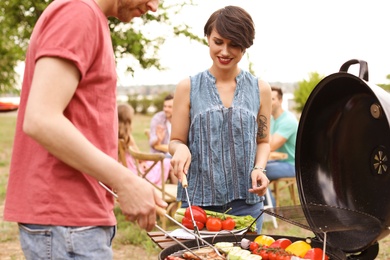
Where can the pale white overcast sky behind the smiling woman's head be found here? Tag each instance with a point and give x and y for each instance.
(293, 38)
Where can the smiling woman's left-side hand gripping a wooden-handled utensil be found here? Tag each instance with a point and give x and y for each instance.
(181, 160)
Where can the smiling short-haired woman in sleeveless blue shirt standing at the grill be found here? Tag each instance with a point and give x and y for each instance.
(220, 124)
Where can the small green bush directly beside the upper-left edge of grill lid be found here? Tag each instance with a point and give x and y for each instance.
(305, 87)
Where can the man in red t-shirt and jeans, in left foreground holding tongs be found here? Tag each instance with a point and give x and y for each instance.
(66, 138)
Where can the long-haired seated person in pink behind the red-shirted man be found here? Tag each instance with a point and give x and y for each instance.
(125, 119)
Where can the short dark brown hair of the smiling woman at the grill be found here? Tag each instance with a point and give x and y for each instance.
(232, 23)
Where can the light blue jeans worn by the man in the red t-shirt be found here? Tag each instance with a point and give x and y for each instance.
(60, 242)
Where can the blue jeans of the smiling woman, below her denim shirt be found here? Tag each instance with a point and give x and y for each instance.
(239, 208)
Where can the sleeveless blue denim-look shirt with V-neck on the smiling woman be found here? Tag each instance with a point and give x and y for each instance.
(222, 141)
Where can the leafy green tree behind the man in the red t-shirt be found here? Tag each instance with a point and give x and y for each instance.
(18, 18)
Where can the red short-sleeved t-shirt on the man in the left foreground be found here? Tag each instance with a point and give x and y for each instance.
(41, 188)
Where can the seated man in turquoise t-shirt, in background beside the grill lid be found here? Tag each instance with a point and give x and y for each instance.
(284, 127)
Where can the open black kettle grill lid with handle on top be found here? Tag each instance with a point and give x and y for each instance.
(342, 160)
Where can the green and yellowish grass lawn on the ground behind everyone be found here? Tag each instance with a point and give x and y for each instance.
(129, 233)
